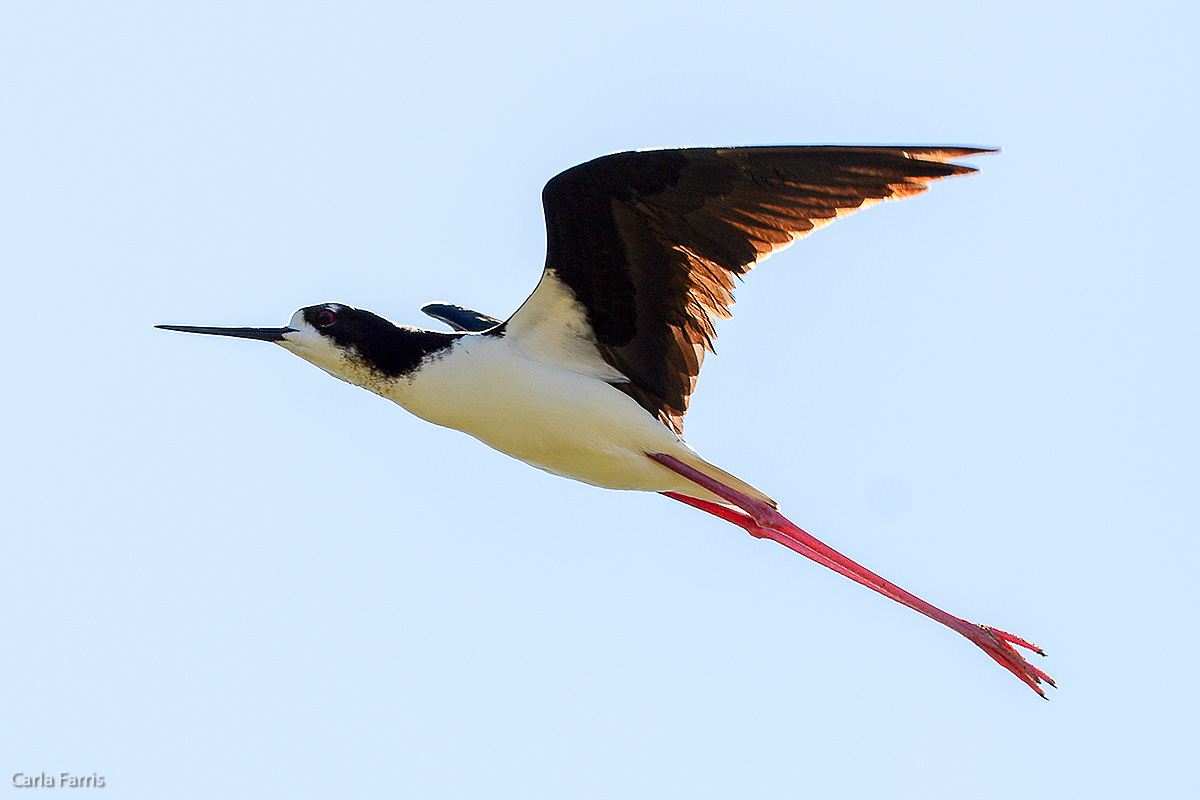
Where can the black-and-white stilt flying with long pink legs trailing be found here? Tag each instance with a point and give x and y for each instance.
(591, 378)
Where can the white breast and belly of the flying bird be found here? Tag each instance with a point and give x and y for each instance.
(554, 419)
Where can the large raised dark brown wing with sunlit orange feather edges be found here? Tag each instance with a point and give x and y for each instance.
(650, 243)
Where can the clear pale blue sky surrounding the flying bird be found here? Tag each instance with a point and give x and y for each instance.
(225, 570)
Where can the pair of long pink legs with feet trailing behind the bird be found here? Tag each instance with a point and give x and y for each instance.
(765, 522)
